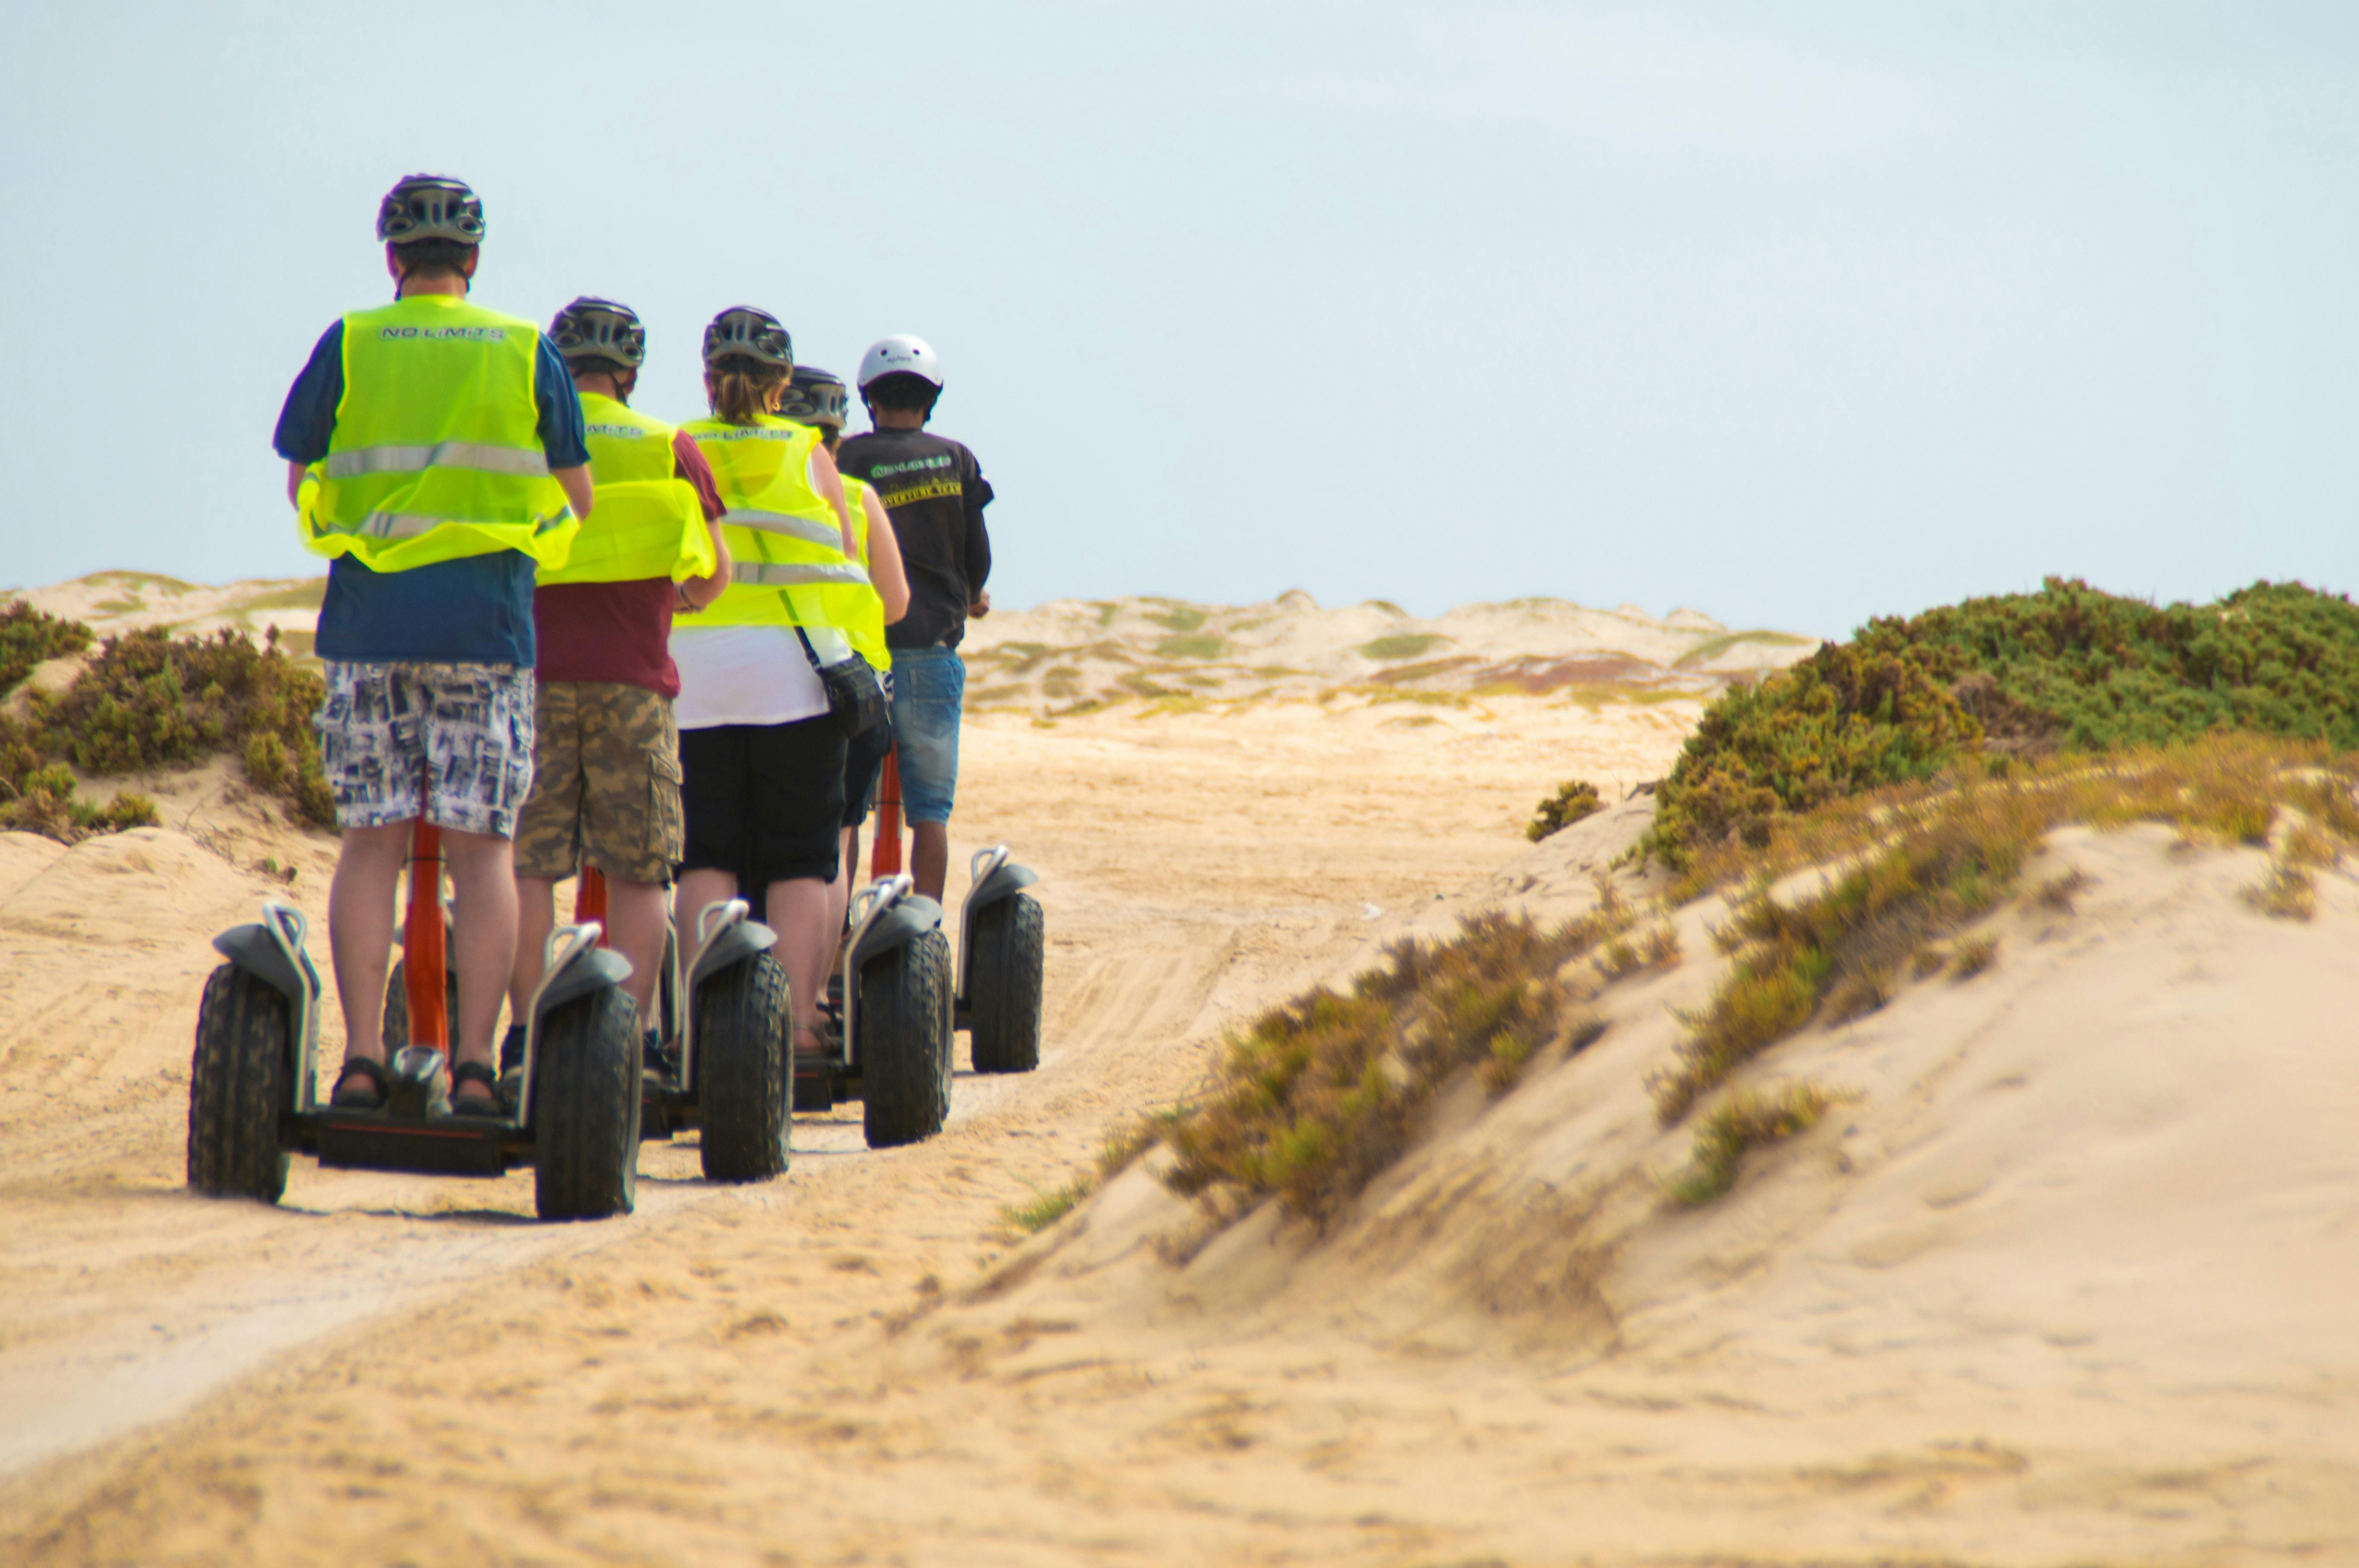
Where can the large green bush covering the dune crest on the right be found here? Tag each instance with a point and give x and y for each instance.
(2065, 668)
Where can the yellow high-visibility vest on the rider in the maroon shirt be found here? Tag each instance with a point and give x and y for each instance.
(645, 520)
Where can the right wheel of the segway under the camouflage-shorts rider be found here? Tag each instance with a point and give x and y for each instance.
(744, 1072)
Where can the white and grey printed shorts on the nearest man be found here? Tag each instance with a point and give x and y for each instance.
(452, 744)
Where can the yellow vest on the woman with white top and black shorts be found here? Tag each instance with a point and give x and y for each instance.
(782, 534)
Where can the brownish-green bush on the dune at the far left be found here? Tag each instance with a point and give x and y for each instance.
(150, 701)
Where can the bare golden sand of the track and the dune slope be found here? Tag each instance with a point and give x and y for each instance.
(2065, 1282)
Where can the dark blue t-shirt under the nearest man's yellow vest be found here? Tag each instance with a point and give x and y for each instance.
(468, 612)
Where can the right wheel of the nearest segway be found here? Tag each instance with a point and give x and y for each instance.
(586, 1109)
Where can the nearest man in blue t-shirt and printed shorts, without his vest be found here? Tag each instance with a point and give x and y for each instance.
(431, 690)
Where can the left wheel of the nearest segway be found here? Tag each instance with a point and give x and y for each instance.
(237, 1086)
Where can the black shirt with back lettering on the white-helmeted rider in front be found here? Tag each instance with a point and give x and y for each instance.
(935, 494)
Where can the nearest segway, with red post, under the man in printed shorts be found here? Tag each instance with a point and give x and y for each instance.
(254, 1098)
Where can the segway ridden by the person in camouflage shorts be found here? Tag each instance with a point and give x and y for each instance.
(725, 1053)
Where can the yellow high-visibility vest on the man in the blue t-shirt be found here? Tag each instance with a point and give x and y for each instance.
(438, 442)
